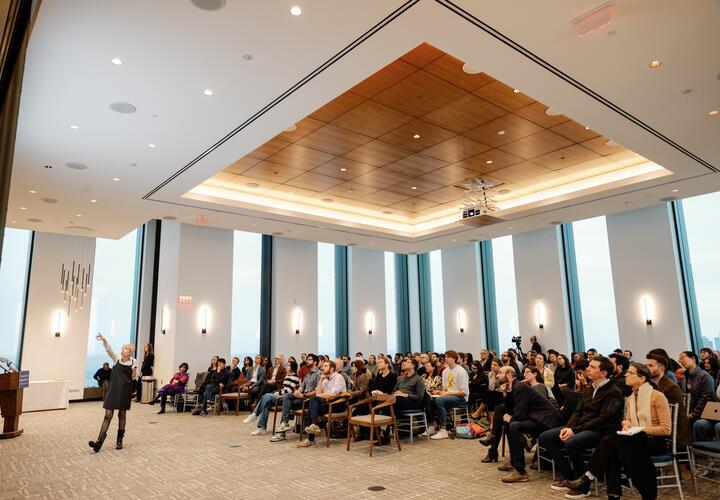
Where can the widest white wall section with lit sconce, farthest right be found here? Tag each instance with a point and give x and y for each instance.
(644, 261)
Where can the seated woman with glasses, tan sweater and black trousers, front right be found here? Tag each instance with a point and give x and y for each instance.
(647, 424)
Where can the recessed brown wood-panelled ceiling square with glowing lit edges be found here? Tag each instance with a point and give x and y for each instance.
(406, 135)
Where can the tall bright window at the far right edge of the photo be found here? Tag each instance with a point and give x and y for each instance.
(700, 217)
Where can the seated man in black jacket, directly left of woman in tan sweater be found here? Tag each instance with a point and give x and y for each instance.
(598, 413)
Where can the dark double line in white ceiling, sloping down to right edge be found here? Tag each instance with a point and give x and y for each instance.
(450, 5)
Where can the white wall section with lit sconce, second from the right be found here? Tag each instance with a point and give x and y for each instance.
(539, 277)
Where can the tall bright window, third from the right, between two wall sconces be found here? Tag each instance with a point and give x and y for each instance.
(505, 295)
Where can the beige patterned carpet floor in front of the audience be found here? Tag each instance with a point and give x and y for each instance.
(181, 456)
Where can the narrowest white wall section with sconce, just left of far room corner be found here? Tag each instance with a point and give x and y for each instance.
(366, 293)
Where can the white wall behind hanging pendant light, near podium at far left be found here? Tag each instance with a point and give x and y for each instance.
(46, 356)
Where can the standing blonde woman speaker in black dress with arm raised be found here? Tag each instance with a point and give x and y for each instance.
(119, 395)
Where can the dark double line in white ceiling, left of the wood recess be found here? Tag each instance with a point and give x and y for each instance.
(312, 75)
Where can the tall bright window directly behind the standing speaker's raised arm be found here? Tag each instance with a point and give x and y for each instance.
(114, 298)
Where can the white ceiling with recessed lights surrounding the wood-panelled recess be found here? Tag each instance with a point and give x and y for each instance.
(172, 51)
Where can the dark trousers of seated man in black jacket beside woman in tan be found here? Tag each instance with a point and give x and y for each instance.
(574, 446)
